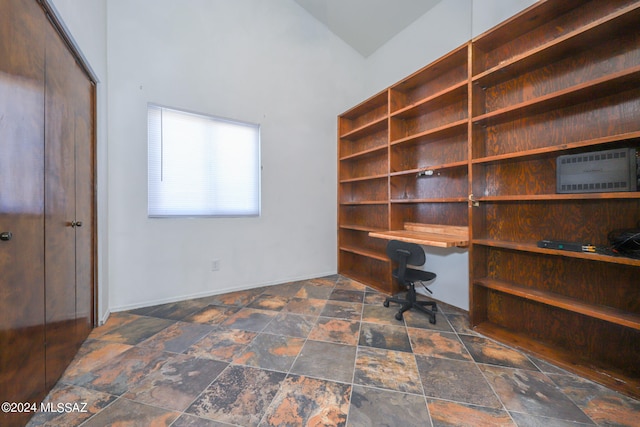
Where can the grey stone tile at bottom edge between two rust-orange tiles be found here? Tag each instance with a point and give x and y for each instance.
(375, 407)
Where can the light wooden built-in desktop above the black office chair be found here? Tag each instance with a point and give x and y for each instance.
(443, 236)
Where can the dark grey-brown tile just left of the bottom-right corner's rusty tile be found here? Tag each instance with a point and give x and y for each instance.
(533, 393)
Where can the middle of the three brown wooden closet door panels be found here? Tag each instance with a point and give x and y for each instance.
(60, 277)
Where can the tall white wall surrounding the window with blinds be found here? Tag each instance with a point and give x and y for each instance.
(265, 62)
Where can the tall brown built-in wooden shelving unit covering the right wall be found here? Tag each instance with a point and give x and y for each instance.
(471, 140)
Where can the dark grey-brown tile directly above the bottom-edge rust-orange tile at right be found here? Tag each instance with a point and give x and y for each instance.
(455, 380)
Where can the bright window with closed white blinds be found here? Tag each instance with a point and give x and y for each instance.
(201, 165)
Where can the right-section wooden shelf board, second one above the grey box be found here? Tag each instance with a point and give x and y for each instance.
(625, 79)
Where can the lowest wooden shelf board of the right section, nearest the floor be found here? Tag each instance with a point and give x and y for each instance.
(570, 361)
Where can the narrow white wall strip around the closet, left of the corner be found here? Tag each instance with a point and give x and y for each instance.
(86, 22)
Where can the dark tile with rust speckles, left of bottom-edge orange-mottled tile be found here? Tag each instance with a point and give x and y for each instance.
(239, 396)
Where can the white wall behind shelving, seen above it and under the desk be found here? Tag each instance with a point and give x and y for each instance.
(447, 26)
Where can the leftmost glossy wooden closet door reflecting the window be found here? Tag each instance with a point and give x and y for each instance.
(22, 358)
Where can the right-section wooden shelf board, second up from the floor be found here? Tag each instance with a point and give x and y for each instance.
(608, 314)
